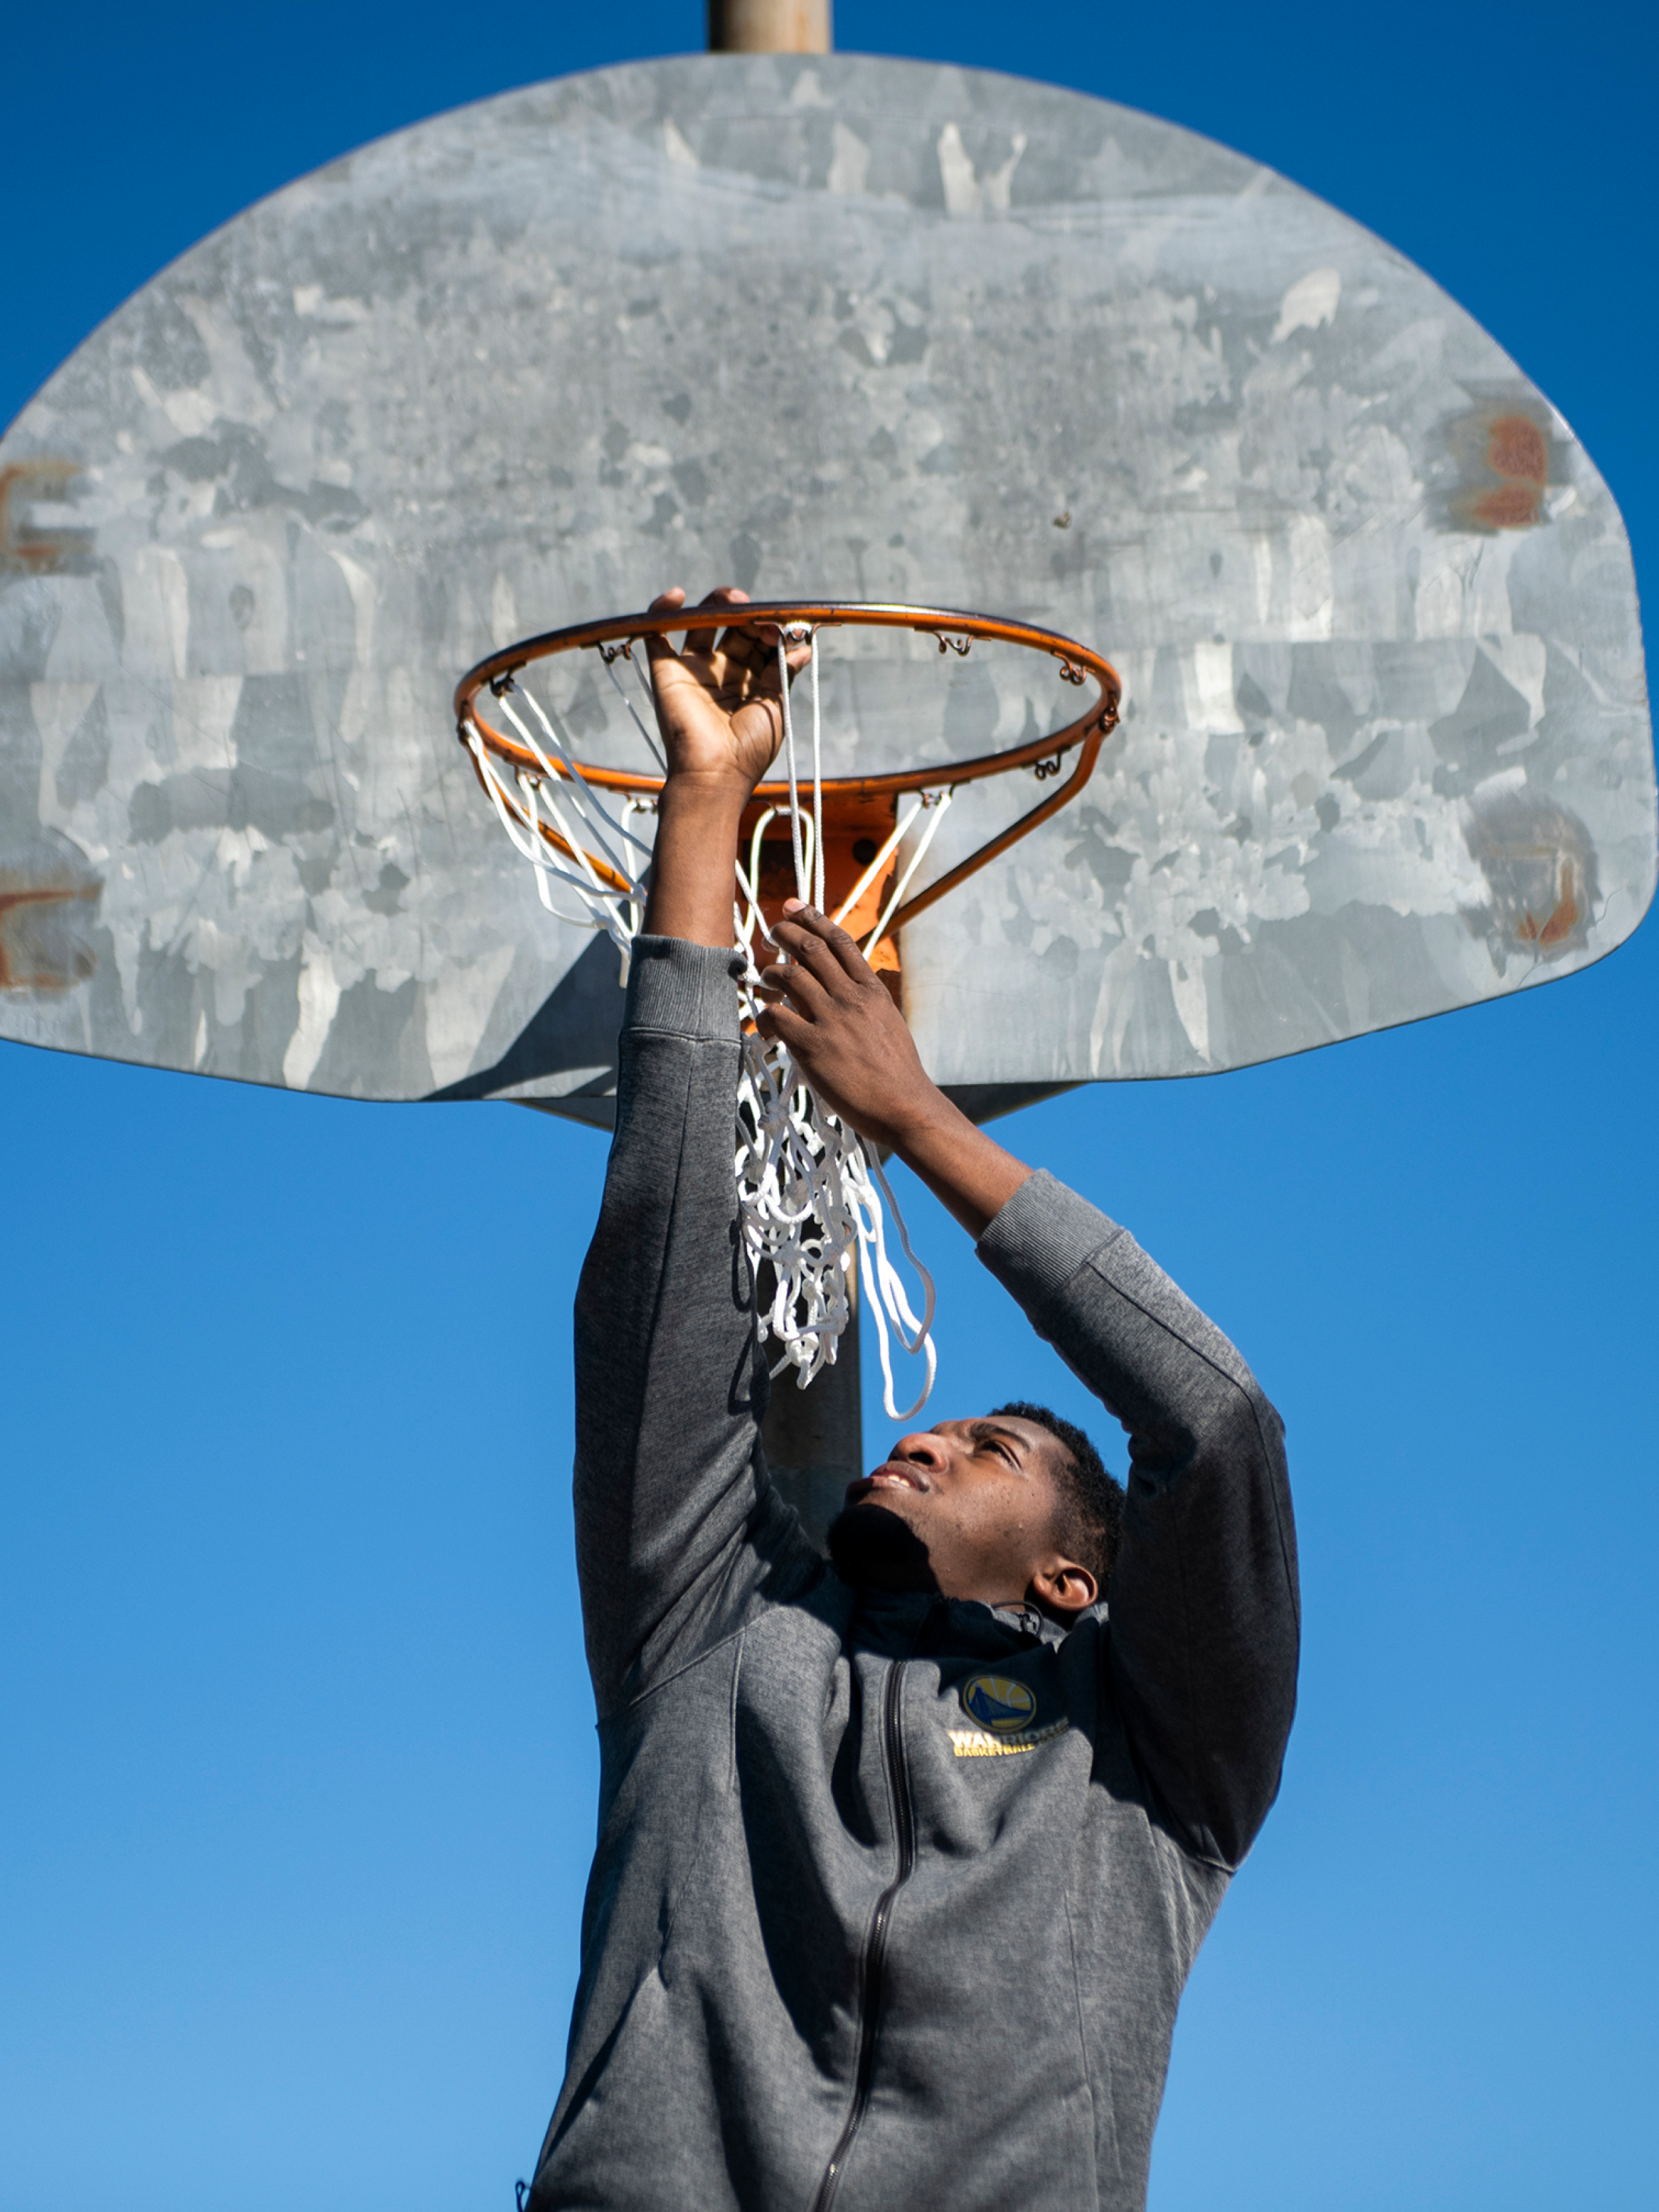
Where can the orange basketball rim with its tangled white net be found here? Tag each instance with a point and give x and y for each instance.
(808, 1191)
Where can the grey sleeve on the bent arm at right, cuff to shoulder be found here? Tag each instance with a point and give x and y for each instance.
(1202, 1607)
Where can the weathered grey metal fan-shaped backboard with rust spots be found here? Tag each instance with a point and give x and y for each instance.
(824, 328)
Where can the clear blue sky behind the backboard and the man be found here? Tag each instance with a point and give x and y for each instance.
(295, 1751)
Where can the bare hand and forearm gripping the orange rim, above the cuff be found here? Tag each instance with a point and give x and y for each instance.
(720, 711)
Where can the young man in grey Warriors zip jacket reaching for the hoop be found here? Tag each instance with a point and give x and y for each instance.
(904, 1859)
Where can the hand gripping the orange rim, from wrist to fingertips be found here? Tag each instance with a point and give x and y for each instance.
(718, 700)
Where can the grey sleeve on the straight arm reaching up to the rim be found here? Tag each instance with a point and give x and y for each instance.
(669, 1377)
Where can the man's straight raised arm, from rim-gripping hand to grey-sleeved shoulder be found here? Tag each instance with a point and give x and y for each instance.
(667, 1370)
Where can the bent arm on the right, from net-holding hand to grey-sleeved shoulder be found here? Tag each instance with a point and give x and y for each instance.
(1204, 1614)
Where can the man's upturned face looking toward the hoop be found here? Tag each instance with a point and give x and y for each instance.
(977, 1501)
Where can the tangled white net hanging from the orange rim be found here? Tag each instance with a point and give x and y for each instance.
(813, 1200)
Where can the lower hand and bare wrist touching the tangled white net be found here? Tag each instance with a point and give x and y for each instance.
(853, 1045)
